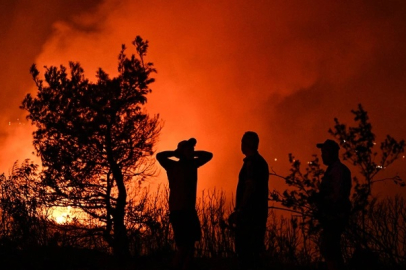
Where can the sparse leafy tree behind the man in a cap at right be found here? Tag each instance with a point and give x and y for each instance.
(358, 144)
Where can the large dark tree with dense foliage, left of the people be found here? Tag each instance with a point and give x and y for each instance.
(95, 140)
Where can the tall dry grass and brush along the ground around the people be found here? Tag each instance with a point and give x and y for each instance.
(27, 231)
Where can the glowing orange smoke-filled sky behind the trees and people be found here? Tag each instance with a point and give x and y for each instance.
(282, 68)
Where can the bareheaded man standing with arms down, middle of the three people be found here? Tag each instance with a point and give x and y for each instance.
(251, 211)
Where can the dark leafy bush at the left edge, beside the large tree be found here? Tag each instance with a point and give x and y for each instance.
(23, 209)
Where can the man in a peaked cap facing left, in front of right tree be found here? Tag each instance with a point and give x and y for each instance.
(333, 204)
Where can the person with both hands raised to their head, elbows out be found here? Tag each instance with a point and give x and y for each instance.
(182, 176)
